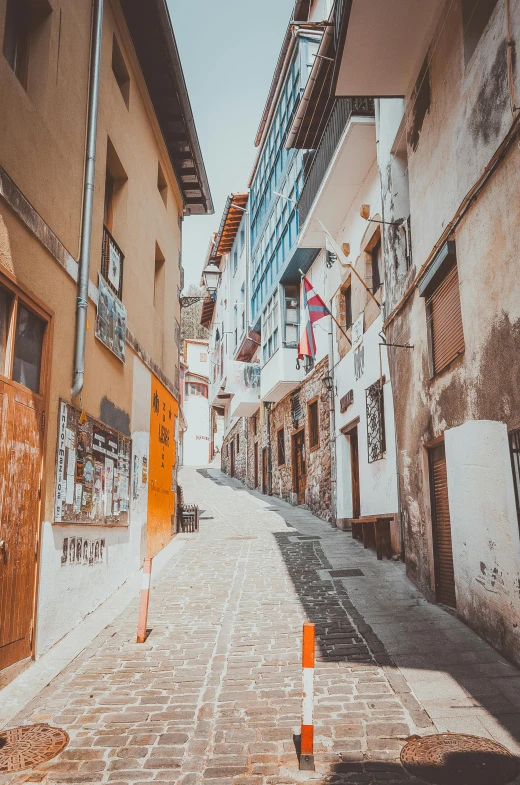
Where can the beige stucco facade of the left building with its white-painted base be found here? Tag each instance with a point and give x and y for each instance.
(42, 143)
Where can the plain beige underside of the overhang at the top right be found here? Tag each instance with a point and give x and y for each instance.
(382, 44)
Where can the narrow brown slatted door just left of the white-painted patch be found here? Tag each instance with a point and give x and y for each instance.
(444, 573)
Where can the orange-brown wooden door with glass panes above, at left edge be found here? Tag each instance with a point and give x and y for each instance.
(23, 342)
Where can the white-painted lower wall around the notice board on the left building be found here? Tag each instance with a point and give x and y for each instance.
(70, 592)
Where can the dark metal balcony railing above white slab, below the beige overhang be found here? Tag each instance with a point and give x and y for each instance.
(339, 118)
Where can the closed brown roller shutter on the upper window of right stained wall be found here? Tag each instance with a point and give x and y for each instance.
(446, 321)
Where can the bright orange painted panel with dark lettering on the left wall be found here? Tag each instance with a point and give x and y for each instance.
(162, 470)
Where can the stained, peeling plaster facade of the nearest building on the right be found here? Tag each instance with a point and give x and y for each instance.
(449, 144)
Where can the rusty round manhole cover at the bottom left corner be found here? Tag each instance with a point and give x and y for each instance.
(28, 745)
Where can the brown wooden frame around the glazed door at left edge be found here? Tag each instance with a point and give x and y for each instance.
(35, 304)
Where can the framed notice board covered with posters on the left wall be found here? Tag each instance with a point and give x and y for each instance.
(92, 471)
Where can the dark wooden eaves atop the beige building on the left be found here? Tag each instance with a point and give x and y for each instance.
(152, 35)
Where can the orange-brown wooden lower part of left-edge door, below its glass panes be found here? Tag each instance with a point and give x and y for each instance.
(20, 473)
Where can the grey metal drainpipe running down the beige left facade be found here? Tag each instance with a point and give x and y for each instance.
(88, 199)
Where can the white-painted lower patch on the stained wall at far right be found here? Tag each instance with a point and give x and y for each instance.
(485, 532)
